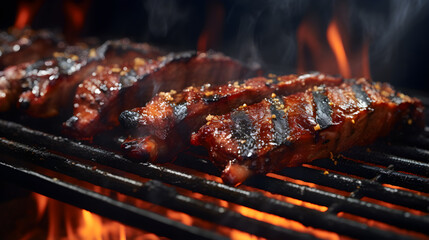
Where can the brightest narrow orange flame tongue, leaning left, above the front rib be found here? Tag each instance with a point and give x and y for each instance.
(334, 39)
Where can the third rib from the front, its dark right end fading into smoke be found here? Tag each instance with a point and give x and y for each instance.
(101, 98)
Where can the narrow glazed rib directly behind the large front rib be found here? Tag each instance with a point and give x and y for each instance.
(163, 127)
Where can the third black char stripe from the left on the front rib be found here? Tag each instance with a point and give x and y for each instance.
(323, 109)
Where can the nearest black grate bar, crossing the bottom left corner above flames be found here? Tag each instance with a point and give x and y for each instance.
(98, 203)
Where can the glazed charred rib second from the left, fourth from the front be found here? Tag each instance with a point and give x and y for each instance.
(52, 82)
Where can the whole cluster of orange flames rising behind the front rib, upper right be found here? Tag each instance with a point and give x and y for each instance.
(331, 53)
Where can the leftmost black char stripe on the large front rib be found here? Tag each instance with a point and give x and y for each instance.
(243, 131)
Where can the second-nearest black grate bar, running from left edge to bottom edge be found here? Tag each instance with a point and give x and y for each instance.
(152, 191)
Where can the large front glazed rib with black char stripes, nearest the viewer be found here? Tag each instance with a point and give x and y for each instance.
(287, 131)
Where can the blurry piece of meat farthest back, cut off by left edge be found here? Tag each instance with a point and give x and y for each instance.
(27, 46)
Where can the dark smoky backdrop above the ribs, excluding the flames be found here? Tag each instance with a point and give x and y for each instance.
(258, 32)
